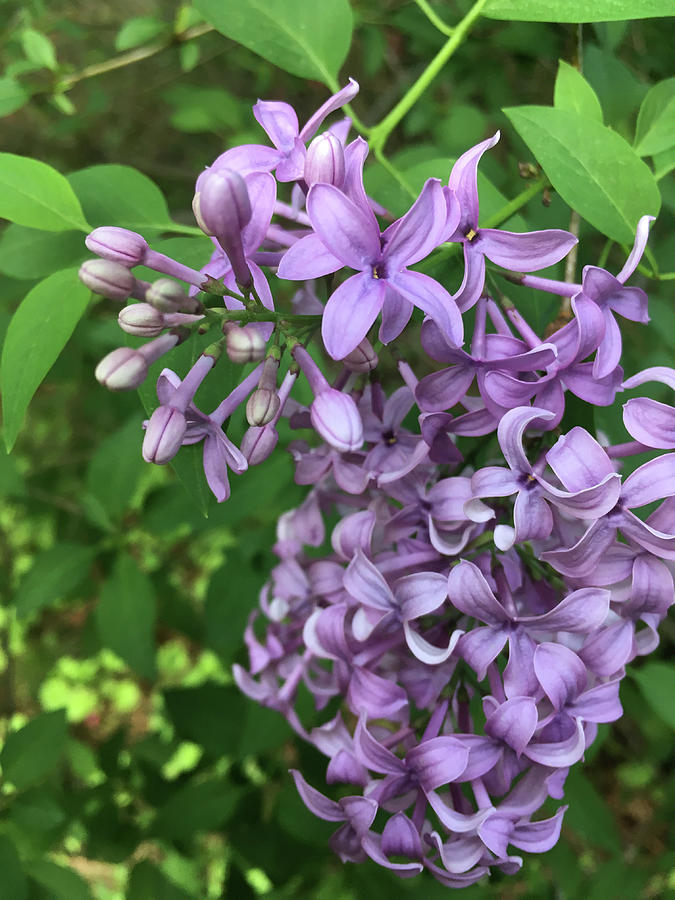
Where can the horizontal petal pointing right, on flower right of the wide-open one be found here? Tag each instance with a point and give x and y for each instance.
(526, 252)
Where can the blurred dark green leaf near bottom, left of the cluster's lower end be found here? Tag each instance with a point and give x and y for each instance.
(197, 807)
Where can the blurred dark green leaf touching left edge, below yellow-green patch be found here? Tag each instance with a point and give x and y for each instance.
(32, 752)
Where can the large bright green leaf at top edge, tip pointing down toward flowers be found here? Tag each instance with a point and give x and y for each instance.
(305, 38)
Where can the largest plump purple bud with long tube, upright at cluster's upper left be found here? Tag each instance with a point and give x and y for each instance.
(223, 209)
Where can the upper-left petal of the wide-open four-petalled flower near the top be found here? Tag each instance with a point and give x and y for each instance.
(349, 231)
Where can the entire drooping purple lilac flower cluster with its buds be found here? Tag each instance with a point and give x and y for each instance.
(466, 624)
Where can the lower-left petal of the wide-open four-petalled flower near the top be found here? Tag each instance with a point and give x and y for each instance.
(349, 313)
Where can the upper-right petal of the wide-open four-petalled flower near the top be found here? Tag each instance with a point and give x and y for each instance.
(420, 230)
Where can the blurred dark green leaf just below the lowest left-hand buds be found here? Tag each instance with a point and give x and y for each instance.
(114, 470)
